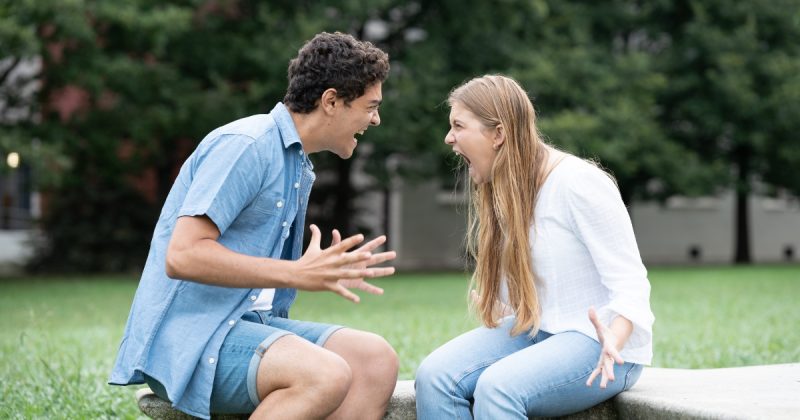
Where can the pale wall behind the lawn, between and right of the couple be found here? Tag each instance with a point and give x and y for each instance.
(428, 225)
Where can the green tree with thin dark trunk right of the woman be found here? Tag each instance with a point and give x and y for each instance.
(734, 93)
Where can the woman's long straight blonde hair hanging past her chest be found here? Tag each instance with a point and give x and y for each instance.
(501, 211)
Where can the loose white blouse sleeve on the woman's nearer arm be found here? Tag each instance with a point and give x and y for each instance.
(600, 220)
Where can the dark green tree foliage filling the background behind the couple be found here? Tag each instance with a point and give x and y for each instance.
(672, 97)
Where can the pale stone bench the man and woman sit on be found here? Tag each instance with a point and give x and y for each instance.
(755, 392)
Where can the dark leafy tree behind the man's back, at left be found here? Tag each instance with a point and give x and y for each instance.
(126, 92)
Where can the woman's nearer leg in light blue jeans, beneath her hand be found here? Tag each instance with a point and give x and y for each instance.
(549, 379)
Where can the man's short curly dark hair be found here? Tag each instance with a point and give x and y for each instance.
(333, 60)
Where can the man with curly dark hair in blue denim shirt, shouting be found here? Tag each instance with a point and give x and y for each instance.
(209, 328)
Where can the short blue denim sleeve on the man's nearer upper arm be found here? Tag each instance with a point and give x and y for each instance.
(226, 176)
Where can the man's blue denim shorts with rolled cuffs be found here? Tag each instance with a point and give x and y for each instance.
(234, 388)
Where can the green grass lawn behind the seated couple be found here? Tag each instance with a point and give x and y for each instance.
(58, 336)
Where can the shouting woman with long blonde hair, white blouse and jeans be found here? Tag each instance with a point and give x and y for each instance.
(551, 240)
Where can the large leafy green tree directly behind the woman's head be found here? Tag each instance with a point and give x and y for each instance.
(590, 69)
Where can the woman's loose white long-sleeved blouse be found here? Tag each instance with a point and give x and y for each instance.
(585, 254)
